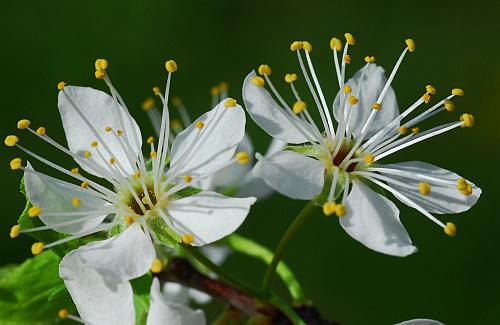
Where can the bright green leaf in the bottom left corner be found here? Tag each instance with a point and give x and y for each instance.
(25, 291)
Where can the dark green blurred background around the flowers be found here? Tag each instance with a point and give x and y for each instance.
(455, 280)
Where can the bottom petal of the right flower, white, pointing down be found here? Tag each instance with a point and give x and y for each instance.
(374, 221)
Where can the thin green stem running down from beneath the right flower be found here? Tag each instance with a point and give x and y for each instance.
(299, 221)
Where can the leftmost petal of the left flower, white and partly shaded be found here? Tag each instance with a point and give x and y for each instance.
(56, 196)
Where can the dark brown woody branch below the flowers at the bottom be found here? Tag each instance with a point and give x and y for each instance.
(182, 271)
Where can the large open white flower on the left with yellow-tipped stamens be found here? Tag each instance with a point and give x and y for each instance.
(154, 204)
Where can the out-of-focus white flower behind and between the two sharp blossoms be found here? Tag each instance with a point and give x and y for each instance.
(236, 179)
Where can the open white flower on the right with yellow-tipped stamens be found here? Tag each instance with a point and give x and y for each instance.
(344, 160)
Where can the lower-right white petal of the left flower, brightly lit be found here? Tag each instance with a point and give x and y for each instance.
(208, 216)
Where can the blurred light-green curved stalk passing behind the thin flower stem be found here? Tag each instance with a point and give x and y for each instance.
(251, 248)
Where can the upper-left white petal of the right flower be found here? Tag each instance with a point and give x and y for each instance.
(269, 115)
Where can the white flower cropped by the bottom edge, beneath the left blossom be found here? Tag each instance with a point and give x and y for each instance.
(161, 312)
